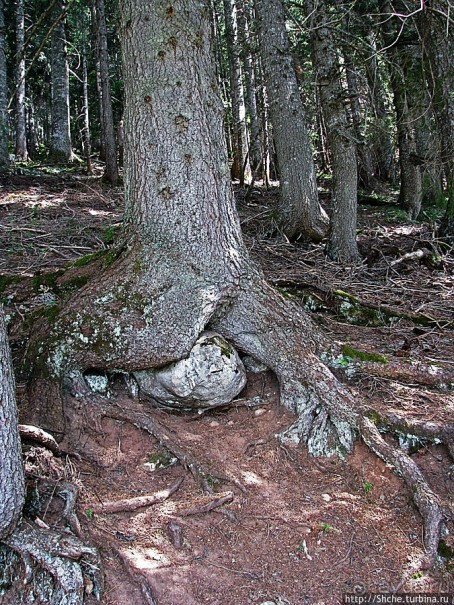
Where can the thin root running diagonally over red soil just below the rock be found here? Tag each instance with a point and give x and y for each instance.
(141, 417)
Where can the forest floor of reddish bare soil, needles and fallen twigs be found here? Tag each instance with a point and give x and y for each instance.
(304, 530)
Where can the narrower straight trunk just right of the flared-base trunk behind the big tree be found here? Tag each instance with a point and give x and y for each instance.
(341, 243)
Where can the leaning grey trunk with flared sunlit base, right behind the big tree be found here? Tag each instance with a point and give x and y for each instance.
(299, 208)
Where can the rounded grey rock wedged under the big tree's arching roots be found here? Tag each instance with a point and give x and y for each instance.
(211, 375)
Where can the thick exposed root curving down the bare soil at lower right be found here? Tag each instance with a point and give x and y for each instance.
(427, 502)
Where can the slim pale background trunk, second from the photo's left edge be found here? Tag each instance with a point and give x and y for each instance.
(21, 135)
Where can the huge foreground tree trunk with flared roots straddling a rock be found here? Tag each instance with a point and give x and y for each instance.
(183, 266)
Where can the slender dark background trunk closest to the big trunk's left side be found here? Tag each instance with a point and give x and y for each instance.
(111, 171)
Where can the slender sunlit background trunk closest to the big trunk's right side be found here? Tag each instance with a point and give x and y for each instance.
(241, 166)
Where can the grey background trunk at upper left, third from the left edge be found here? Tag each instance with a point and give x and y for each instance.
(60, 149)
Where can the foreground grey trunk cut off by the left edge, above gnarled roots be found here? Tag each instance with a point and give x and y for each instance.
(12, 487)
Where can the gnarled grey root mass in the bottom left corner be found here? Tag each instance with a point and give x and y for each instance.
(74, 566)
